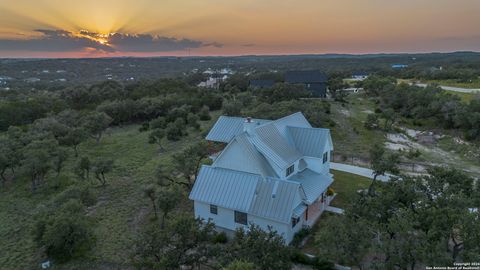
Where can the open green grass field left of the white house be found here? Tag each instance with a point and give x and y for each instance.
(120, 209)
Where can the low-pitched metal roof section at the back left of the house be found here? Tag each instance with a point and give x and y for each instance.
(226, 128)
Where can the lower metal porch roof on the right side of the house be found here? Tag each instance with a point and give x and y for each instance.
(314, 184)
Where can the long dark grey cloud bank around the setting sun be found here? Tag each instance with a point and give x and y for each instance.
(65, 41)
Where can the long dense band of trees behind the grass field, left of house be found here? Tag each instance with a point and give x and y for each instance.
(136, 102)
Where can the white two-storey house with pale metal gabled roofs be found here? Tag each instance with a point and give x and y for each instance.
(271, 173)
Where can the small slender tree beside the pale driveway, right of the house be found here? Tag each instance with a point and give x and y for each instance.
(381, 163)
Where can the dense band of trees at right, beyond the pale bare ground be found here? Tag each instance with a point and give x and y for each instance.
(422, 105)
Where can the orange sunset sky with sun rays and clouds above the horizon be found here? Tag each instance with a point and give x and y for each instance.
(102, 28)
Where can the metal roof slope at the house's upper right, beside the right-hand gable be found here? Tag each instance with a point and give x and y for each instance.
(309, 141)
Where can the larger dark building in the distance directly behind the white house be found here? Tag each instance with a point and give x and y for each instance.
(313, 80)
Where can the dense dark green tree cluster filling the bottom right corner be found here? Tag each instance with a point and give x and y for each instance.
(407, 223)
